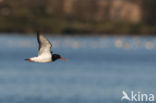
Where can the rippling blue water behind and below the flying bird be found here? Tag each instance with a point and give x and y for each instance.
(97, 71)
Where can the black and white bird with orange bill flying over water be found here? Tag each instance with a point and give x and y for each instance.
(44, 52)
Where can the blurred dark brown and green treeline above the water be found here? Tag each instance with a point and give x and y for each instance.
(78, 16)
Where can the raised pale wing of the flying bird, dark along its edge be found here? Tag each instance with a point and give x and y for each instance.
(44, 45)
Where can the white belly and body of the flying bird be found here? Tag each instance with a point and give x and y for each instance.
(44, 58)
